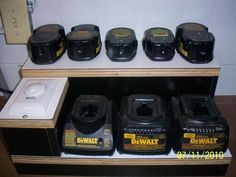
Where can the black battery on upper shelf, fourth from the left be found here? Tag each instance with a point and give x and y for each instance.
(159, 44)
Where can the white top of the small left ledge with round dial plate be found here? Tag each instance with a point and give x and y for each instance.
(34, 98)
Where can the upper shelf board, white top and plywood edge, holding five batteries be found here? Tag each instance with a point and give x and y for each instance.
(102, 66)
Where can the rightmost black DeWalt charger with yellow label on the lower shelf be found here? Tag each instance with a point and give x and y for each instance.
(198, 125)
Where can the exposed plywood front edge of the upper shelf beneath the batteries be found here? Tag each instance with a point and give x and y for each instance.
(144, 72)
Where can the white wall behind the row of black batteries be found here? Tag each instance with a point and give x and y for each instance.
(219, 16)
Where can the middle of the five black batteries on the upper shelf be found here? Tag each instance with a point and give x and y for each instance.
(121, 44)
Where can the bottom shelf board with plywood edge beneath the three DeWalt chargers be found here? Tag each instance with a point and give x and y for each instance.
(170, 159)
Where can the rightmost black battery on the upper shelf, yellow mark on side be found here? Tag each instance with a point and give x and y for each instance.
(194, 43)
